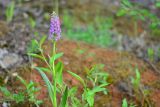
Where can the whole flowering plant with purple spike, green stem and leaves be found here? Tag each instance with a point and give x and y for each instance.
(56, 84)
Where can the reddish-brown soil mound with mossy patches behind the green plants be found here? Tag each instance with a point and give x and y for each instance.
(120, 67)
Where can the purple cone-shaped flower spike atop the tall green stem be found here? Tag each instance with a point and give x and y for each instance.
(55, 29)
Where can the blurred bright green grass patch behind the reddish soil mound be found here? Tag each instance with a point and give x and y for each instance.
(97, 32)
